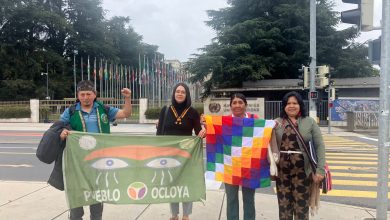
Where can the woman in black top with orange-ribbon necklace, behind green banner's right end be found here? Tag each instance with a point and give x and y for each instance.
(180, 119)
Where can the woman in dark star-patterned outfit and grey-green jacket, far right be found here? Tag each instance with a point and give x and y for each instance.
(295, 175)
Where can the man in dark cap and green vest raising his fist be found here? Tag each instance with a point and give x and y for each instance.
(89, 115)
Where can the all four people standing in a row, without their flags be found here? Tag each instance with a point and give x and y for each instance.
(294, 176)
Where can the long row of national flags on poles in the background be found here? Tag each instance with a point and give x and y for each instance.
(152, 79)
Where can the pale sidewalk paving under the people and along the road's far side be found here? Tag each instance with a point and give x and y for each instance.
(37, 200)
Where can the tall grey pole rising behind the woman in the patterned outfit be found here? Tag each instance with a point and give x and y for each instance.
(313, 58)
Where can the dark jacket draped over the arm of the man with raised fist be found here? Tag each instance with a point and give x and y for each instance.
(51, 148)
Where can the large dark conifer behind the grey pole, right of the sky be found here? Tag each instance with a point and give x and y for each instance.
(270, 39)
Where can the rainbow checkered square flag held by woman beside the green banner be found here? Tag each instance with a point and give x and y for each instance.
(237, 150)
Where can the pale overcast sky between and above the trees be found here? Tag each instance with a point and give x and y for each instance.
(177, 26)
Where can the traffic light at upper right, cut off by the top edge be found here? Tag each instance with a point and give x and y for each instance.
(362, 16)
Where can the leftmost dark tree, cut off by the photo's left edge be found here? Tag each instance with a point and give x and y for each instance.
(30, 37)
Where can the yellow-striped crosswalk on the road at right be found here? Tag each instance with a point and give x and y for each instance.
(353, 164)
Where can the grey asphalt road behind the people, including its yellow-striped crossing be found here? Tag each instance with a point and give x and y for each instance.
(352, 160)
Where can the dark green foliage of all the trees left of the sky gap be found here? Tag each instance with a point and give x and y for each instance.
(43, 36)
